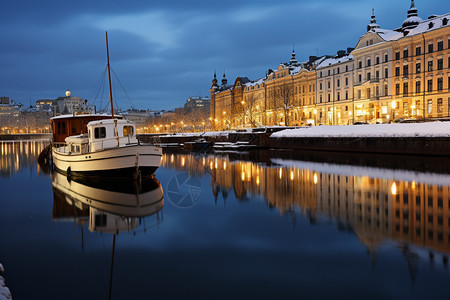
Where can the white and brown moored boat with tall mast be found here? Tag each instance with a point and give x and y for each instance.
(104, 147)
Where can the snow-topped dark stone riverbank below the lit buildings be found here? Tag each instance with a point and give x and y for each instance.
(430, 139)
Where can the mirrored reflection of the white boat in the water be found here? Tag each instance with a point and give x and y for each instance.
(109, 207)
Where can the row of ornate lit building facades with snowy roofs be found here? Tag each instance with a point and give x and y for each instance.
(390, 75)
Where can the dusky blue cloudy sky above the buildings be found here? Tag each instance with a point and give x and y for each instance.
(165, 51)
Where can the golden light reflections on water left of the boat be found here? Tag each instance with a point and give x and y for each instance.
(20, 155)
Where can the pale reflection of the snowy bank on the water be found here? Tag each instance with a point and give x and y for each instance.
(372, 172)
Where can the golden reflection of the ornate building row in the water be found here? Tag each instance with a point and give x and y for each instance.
(378, 205)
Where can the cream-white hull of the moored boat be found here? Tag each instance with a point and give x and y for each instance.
(114, 162)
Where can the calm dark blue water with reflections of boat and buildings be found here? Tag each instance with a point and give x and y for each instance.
(260, 225)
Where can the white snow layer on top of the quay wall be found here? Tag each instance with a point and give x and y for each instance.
(430, 129)
